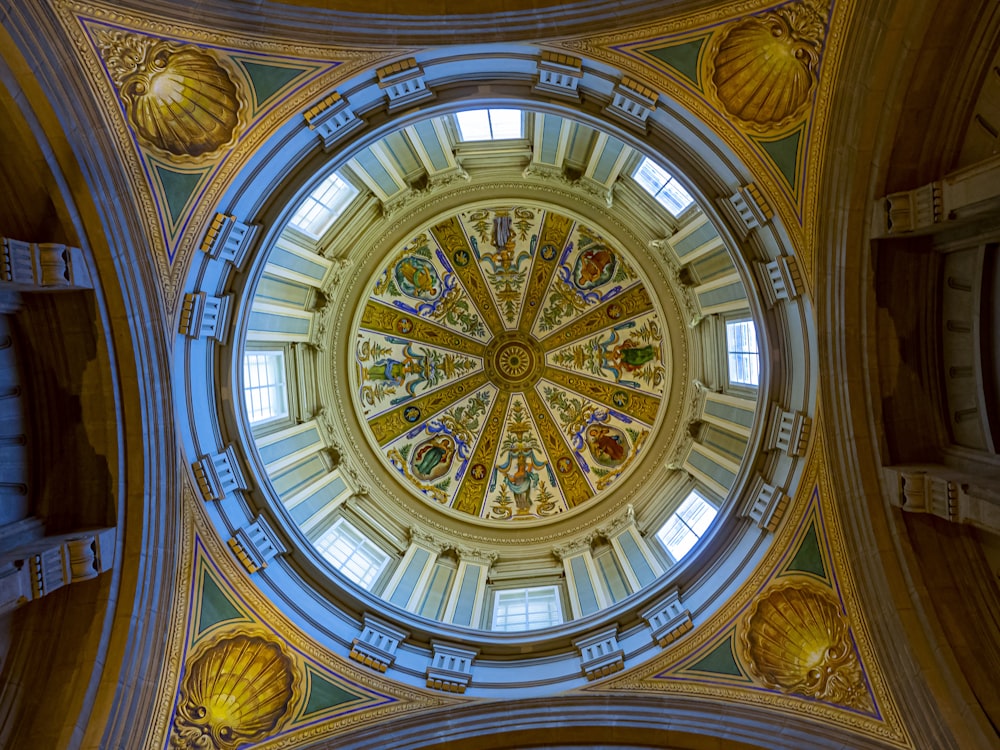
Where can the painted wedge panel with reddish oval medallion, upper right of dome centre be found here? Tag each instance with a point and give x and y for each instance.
(588, 274)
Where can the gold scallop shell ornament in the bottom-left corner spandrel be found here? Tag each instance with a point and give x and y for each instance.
(235, 691)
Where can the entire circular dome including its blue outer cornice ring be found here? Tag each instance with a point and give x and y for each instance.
(358, 552)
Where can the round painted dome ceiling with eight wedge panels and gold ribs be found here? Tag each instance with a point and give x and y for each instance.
(510, 363)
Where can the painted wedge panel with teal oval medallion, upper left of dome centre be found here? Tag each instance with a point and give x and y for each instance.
(421, 281)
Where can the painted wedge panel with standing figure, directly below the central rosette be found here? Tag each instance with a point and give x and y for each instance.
(523, 480)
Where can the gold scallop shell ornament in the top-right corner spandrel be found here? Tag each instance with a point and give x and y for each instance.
(764, 69)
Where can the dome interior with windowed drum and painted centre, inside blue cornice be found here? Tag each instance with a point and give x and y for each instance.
(504, 381)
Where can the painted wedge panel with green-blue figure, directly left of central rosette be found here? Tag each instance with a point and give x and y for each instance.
(393, 370)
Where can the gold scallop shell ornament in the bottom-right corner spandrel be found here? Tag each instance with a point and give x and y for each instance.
(796, 640)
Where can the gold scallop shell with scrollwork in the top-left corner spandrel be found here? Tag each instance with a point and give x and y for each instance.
(182, 102)
